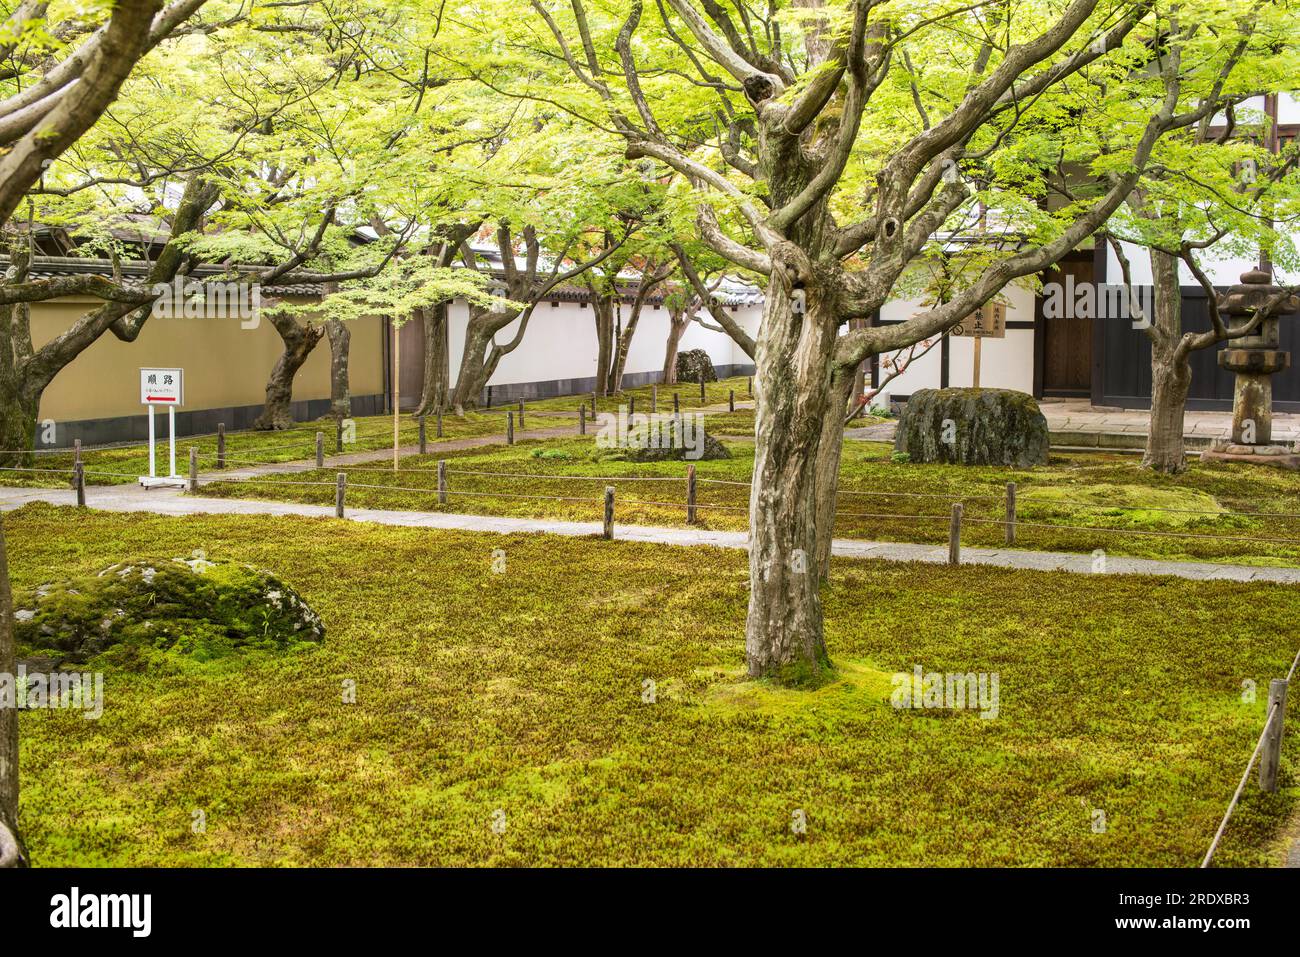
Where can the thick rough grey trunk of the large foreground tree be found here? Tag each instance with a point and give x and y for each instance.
(783, 630)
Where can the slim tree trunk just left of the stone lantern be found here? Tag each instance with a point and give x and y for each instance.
(1171, 371)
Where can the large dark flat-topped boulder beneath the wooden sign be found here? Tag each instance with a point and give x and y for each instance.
(973, 427)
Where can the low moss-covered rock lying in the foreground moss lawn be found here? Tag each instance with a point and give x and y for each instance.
(188, 607)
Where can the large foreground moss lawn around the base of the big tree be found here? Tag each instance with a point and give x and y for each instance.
(523, 692)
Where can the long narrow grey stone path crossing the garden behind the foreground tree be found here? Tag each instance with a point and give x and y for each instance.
(133, 499)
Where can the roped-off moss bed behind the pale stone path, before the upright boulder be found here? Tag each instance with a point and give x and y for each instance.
(1095, 501)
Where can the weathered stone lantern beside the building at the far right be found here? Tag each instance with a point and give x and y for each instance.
(1255, 360)
